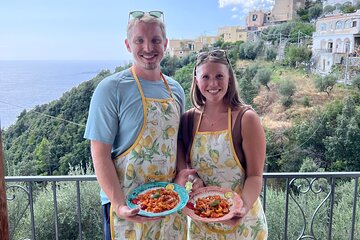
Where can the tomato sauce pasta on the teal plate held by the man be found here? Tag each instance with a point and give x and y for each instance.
(158, 200)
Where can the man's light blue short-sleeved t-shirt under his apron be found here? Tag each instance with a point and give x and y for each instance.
(116, 113)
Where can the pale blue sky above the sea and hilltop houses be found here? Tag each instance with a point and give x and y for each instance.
(96, 30)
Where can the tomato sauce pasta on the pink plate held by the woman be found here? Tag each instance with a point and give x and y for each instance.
(211, 207)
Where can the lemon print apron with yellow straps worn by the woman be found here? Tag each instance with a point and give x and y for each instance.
(213, 156)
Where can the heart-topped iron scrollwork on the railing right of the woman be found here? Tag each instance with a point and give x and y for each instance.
(303, 185)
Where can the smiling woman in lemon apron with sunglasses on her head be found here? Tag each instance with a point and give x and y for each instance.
(219, 159)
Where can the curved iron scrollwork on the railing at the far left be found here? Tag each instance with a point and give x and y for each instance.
(18, 207)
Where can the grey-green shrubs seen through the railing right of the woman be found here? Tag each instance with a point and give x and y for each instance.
(308, 205)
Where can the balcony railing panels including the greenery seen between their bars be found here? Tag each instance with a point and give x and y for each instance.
(297, 205)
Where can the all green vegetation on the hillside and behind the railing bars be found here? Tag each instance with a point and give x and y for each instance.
(306, 130)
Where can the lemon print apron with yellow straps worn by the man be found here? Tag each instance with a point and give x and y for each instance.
(150, 159)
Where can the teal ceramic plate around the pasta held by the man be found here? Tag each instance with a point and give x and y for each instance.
(184, 197)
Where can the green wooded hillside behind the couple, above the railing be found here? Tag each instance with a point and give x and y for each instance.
(305, 125)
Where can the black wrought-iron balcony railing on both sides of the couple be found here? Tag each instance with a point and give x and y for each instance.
(294, 185)
